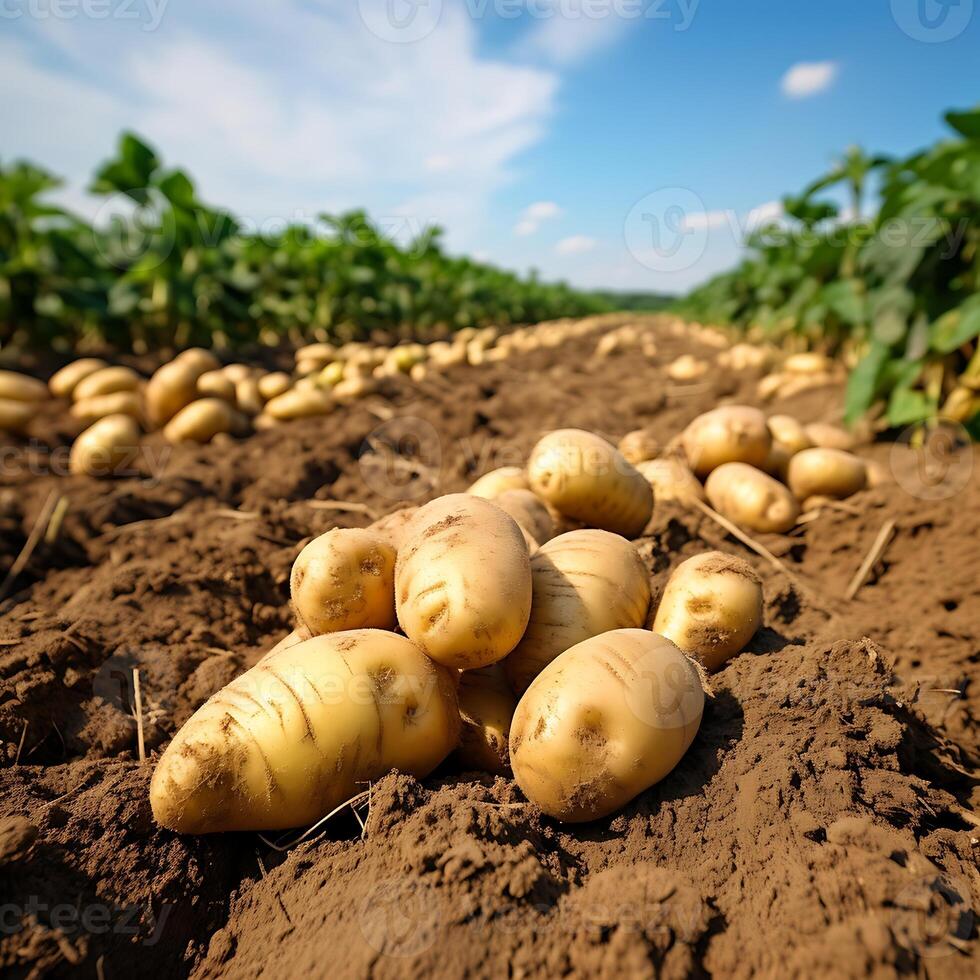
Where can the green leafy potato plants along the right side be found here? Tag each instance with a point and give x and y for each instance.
(897, 293)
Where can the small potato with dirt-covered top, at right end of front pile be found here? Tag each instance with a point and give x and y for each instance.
(711, 607)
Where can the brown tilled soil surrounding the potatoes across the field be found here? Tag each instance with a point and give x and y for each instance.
(822, 823)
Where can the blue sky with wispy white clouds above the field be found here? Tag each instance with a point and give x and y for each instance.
(559, 134)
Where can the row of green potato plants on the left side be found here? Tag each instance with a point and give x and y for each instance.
(168, 270)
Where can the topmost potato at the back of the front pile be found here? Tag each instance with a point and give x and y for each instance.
(584, 477)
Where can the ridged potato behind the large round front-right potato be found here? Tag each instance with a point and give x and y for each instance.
(584, 583)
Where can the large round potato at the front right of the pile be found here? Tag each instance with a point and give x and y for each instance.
(609, 718)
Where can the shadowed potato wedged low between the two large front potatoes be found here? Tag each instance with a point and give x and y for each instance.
(486, 706)
